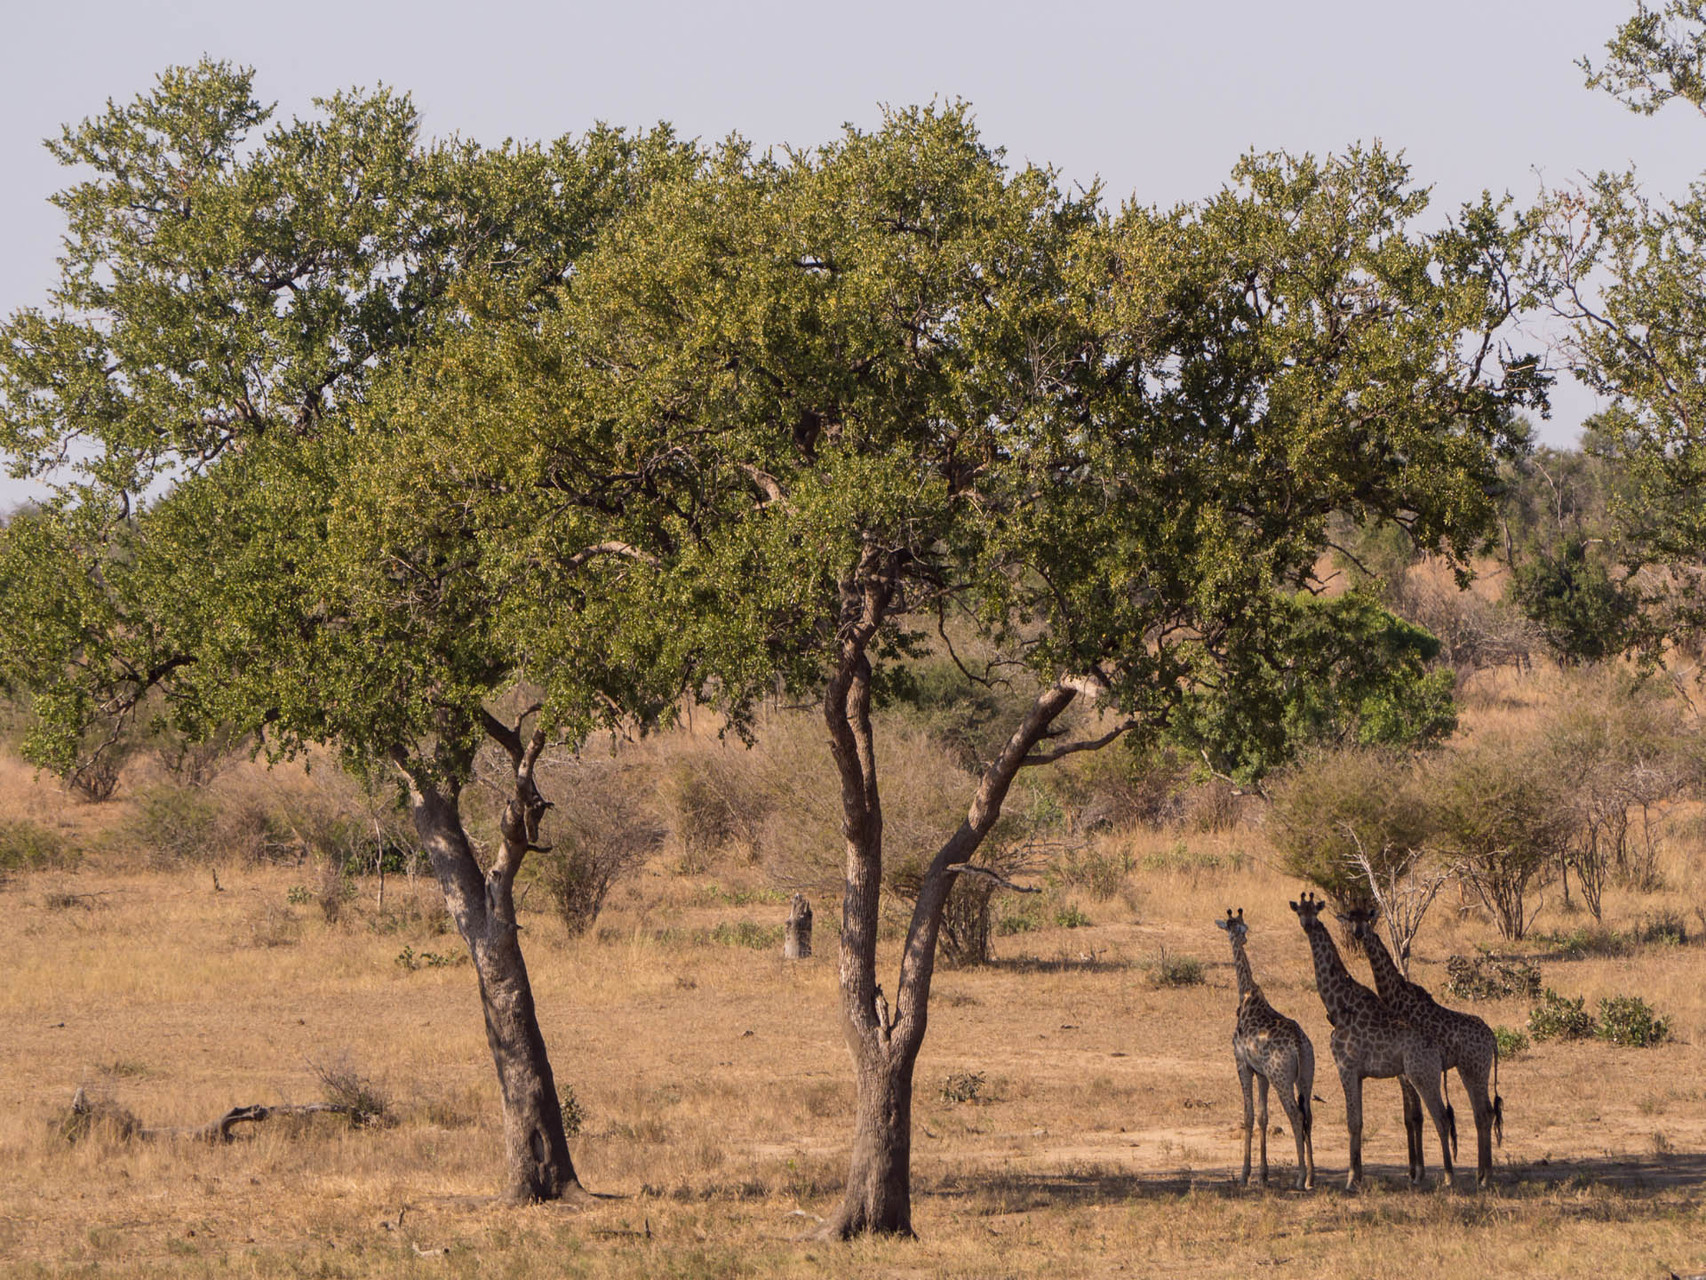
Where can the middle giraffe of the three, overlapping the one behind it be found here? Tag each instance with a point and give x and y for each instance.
(1369, 1040)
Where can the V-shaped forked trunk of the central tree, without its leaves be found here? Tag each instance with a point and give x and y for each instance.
(885, 1044)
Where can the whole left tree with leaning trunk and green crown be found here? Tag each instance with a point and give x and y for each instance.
(229, 291)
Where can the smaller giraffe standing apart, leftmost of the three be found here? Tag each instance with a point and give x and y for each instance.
(1268, 1045)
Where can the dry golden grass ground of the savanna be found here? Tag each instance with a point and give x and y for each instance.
(1076, 1115)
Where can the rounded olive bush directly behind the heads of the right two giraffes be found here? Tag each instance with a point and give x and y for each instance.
(1338, 805)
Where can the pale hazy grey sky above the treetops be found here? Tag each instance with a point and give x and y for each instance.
(1159, 98)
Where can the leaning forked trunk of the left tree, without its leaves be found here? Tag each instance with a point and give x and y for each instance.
(484, 909)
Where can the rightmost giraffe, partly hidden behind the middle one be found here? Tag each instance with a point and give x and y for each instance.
(1465, 1040)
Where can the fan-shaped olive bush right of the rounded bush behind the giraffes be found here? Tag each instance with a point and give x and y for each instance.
(1500, 820)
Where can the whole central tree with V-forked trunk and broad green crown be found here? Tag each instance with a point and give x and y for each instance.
(801, 409)
